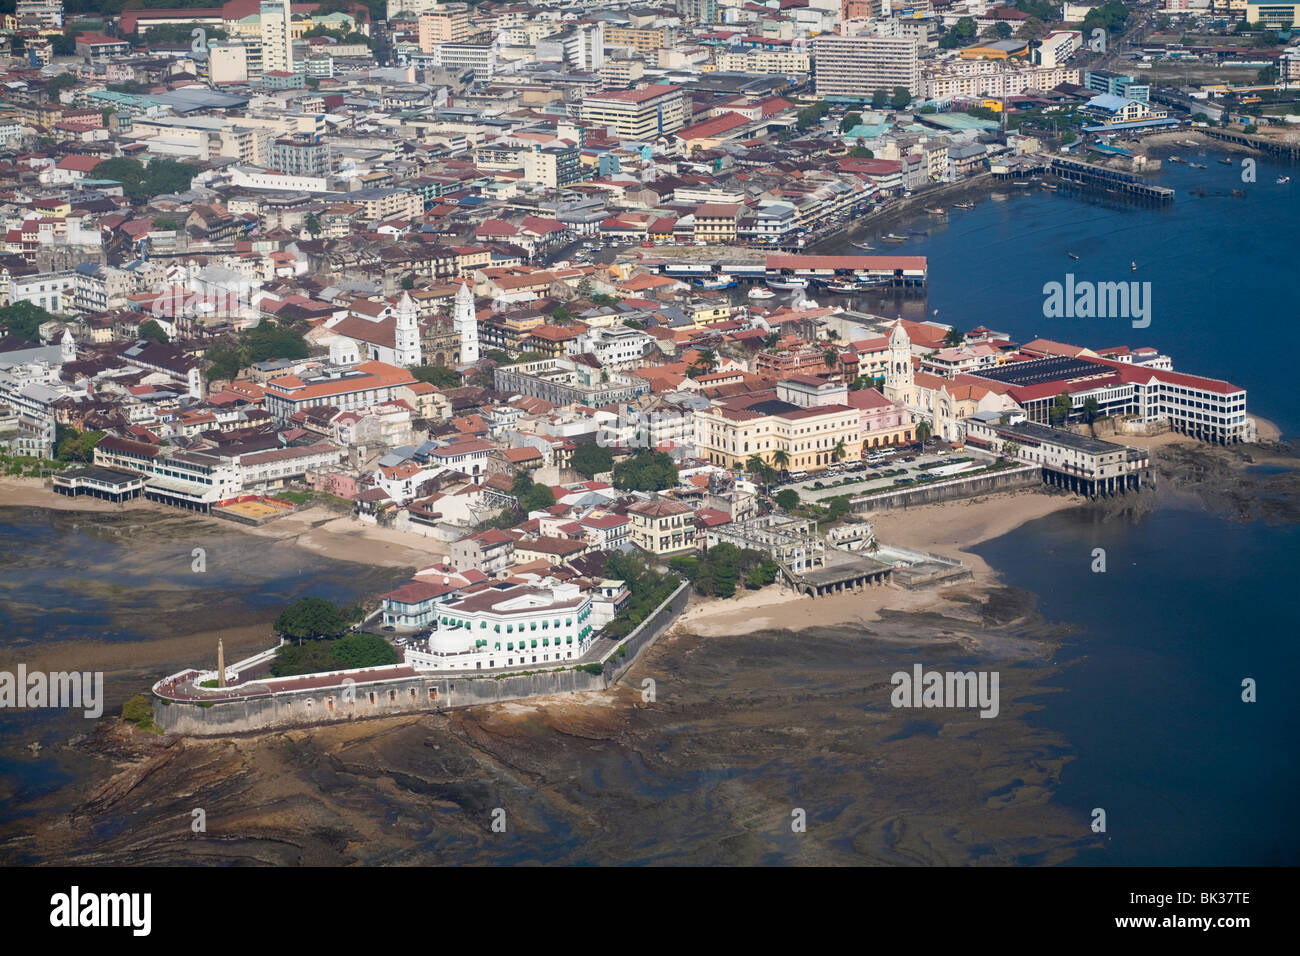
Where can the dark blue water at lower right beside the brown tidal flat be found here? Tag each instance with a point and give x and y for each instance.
(1190, 605)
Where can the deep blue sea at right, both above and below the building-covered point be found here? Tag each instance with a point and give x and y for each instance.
(1190, 604)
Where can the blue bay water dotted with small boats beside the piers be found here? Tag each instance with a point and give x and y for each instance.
(1223, 272)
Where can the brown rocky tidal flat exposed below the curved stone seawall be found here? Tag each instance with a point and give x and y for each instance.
(744, 730)
